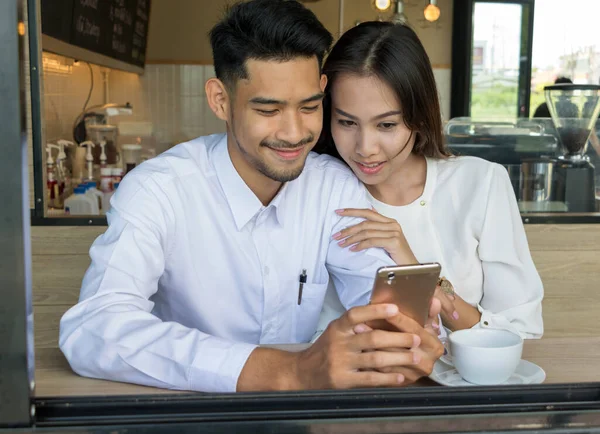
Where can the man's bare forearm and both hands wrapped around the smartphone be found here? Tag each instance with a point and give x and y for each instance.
(349, 354)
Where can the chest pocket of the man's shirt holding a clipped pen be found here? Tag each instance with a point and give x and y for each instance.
(307, 313)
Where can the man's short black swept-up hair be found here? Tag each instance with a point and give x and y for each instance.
(265, 30)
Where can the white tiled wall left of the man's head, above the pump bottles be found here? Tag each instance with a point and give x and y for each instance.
(170, 96)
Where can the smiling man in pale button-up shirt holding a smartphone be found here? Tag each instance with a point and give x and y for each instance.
(225, 243)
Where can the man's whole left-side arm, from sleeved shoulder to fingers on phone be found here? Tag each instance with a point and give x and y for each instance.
(112, 334)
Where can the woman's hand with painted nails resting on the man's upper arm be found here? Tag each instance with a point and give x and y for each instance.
(375, 231)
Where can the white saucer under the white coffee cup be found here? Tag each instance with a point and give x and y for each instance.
(526, 373)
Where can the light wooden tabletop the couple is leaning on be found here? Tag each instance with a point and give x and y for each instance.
(565, 360)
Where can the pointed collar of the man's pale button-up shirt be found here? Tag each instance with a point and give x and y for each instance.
(242, 201)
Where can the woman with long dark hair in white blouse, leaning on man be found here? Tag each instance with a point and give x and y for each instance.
(383, 119)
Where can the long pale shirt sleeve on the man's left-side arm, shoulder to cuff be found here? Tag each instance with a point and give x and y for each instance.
(112, 334)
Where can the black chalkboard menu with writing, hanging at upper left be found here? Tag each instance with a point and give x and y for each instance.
(114, 28)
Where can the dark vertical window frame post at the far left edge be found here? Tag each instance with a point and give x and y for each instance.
(16, 358)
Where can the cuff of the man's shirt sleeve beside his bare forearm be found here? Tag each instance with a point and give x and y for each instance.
(219, 369)
